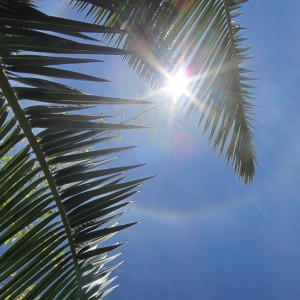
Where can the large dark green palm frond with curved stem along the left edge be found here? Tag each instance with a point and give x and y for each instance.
(59, 203)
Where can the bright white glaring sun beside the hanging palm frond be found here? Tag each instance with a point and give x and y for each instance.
(177, 84)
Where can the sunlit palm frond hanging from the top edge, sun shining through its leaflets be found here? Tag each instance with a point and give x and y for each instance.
(202, 37)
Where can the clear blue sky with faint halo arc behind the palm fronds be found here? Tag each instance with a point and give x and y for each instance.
(205, 235)
